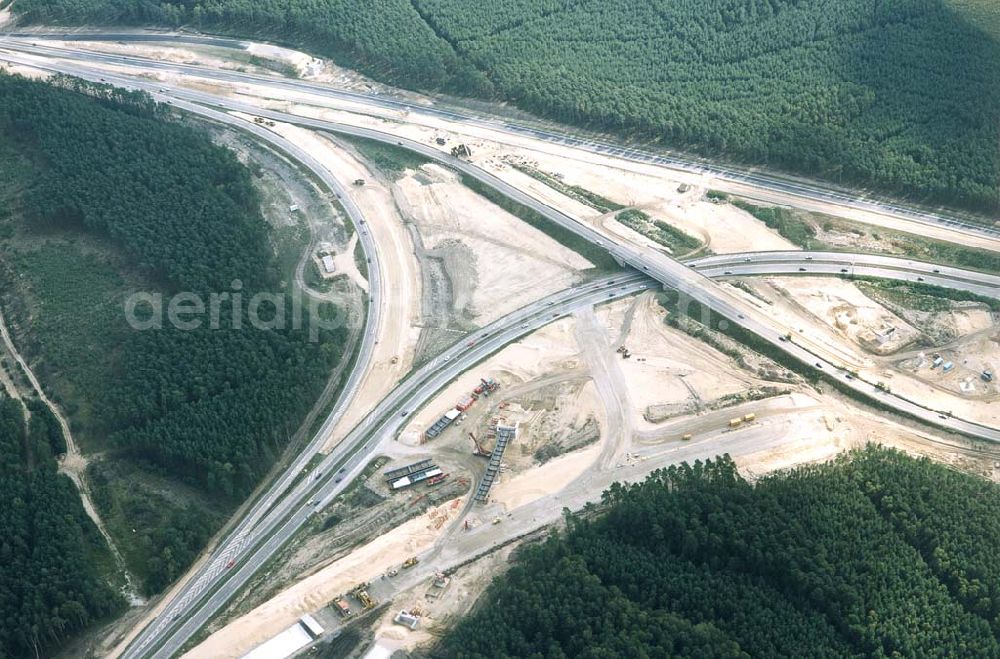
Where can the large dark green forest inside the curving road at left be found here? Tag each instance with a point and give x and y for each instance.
(109, 195)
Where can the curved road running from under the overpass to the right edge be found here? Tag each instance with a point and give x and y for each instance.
(847, 264)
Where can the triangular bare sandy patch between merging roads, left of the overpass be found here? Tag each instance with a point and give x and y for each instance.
(513, 263)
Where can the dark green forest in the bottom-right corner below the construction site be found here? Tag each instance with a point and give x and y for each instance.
(874, 554)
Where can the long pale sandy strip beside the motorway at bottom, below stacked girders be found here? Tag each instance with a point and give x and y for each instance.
(363, 564)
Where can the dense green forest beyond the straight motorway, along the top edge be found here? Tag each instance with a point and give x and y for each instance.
(900, 94)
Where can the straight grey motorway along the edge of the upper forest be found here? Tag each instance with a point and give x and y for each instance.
(27, 42)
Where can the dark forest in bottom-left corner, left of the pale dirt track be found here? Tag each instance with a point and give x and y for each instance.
(53, 561)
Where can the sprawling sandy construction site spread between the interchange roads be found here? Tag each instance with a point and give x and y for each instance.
(598, 393)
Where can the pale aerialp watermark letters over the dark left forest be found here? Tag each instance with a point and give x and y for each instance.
(233, 310)
